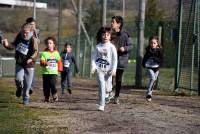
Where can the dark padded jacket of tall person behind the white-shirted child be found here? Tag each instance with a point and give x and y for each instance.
(123, 40)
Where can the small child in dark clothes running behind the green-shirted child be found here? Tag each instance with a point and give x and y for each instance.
(67, 60)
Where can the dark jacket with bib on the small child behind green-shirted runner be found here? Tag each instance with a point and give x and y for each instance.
(67, 60)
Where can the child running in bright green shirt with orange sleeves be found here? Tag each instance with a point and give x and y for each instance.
(51, 63)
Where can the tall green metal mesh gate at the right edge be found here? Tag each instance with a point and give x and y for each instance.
(187, 66)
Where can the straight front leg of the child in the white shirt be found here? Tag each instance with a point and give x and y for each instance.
(101, 83)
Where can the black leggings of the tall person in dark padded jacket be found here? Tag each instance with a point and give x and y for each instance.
(118, 80)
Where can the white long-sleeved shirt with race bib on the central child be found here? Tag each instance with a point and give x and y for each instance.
(104, 57)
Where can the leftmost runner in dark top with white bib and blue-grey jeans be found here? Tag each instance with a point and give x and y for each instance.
(26, 52)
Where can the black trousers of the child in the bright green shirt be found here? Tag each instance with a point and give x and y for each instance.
(49, 84)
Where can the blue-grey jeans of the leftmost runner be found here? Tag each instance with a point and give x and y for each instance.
(23, 78)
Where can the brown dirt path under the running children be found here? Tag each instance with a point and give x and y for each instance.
(77, 113)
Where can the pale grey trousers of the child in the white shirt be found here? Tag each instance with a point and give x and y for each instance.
(105, 84)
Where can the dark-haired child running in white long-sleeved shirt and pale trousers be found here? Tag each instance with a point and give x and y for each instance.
(104, 62)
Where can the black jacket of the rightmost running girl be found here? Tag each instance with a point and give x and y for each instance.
(156, 56)
